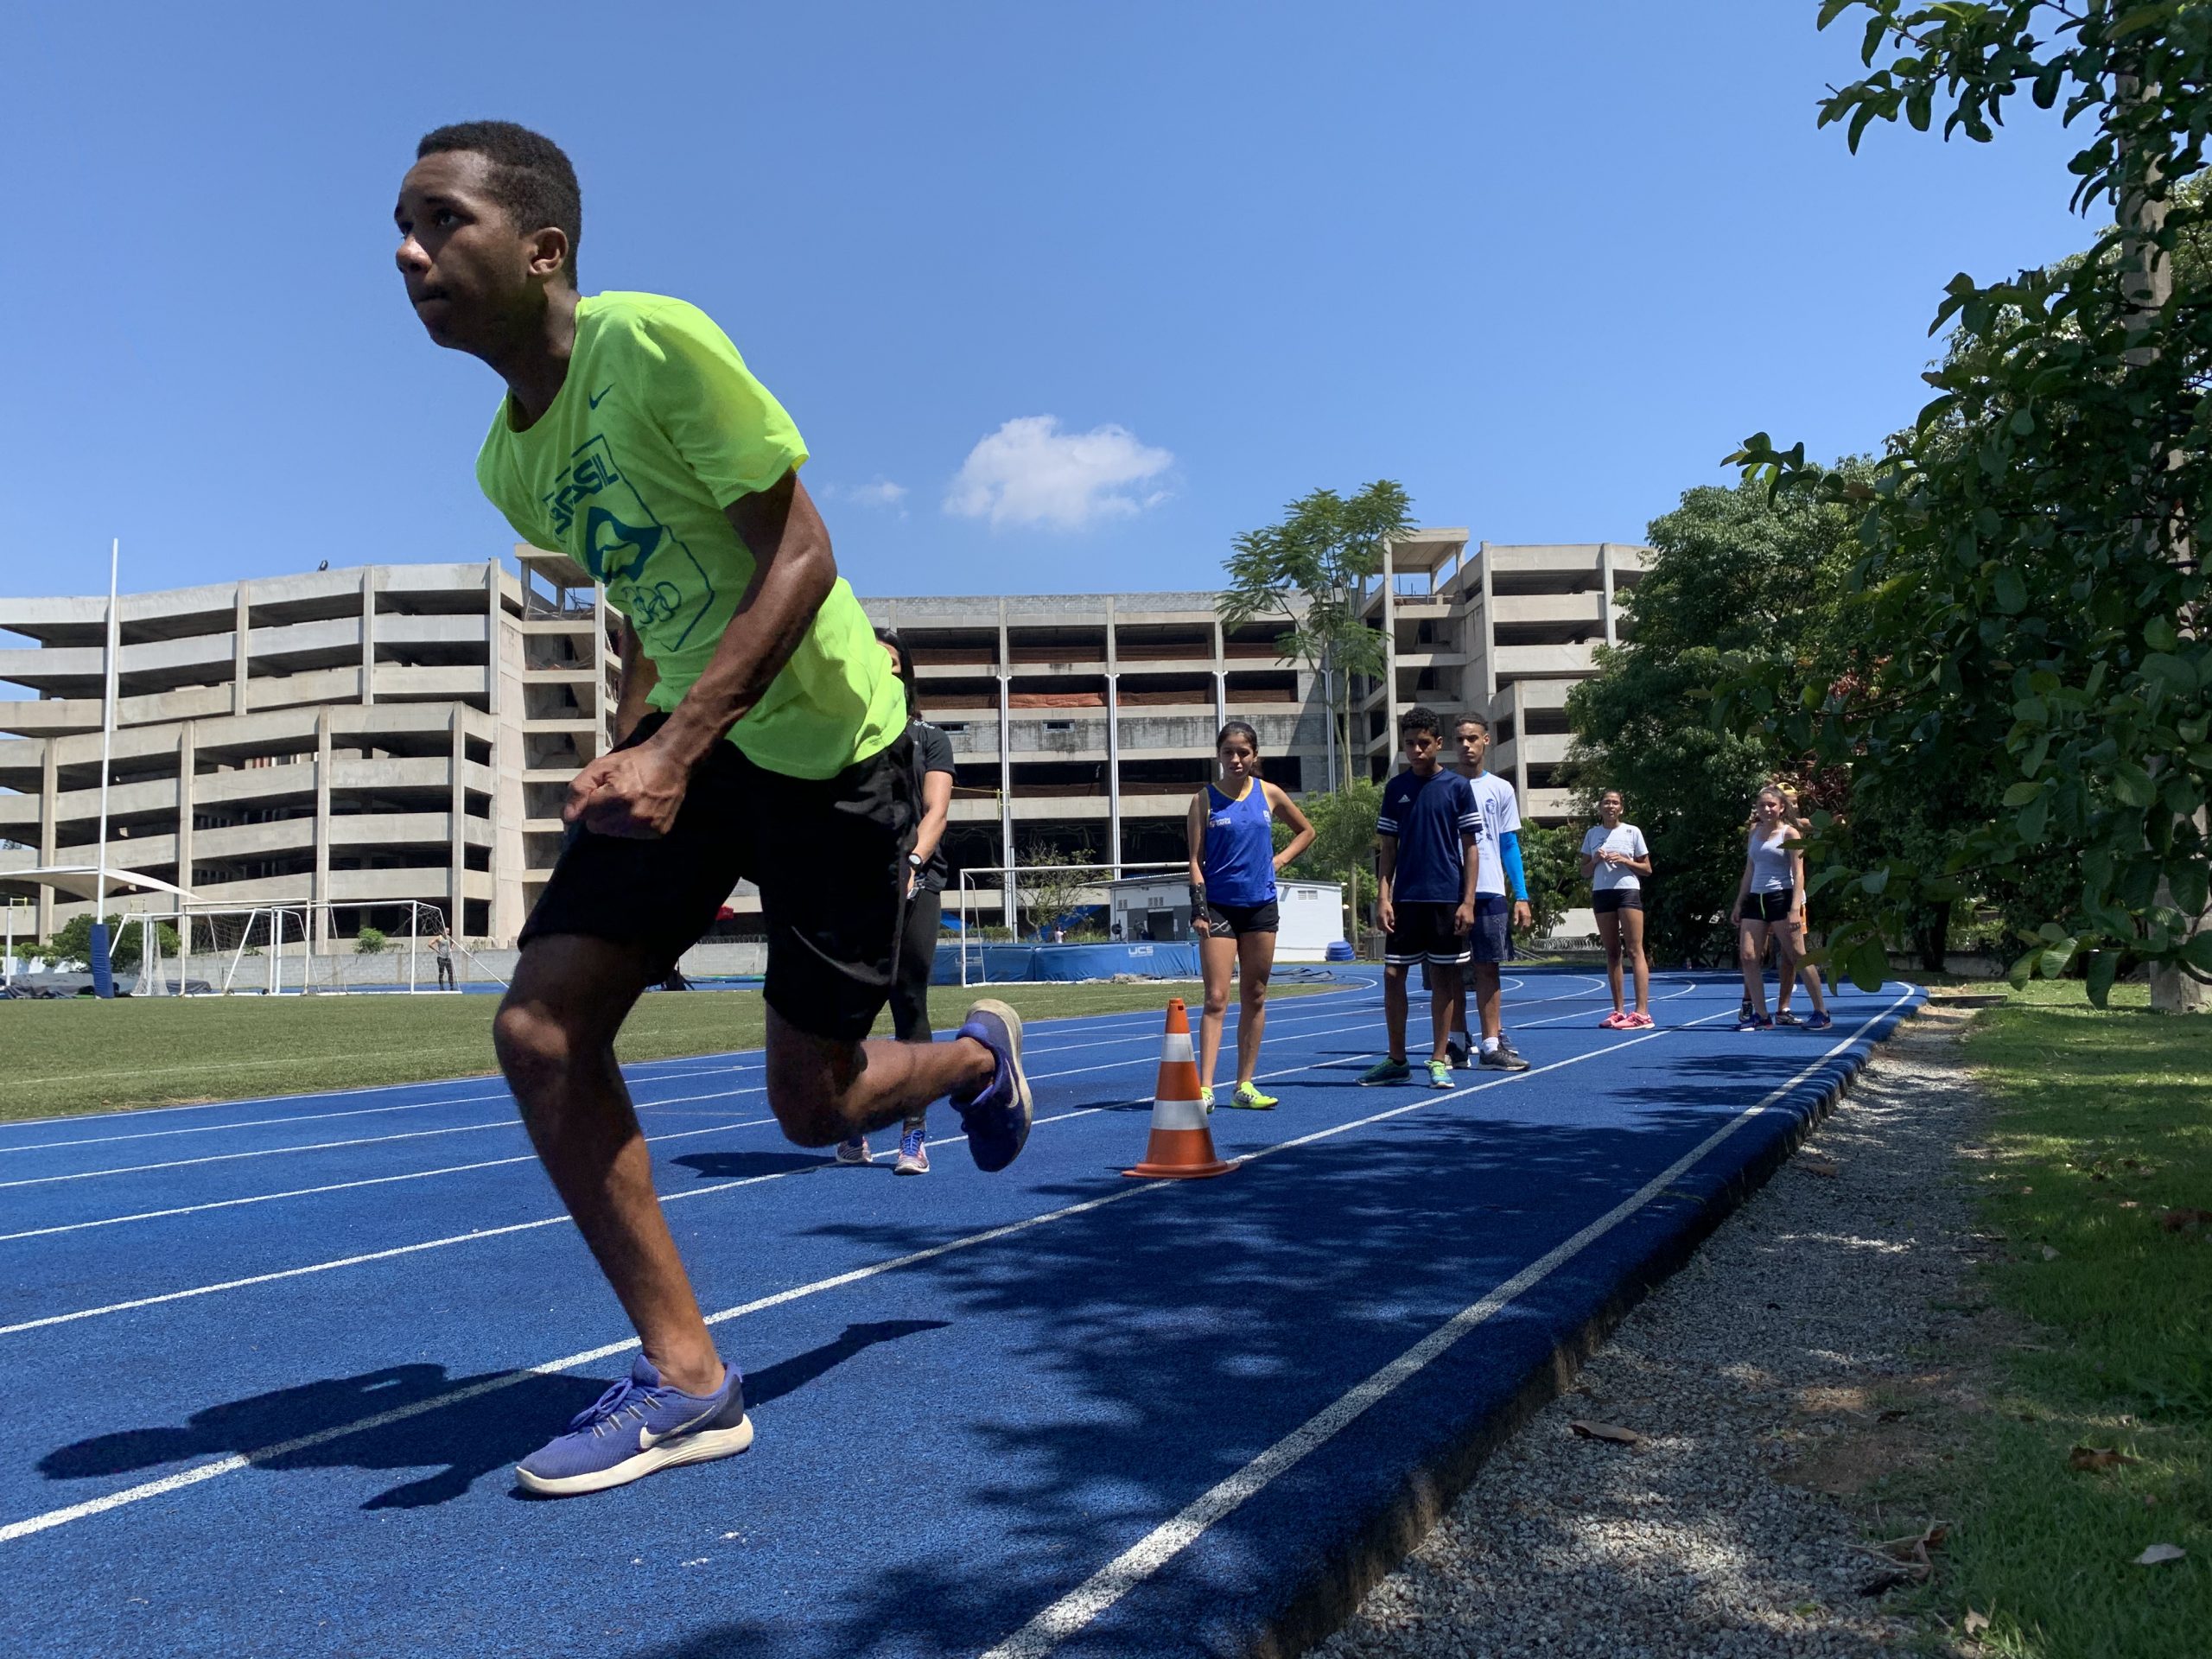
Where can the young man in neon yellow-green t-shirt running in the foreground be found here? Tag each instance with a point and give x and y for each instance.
(762, 735)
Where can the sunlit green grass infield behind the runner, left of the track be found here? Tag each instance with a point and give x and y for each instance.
(85, 1056)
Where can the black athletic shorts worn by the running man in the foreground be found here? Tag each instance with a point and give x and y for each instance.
(828, 855)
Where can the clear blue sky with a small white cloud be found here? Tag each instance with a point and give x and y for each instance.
(1063, 298)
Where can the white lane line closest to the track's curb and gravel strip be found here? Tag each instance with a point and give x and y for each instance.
(1165, 1543)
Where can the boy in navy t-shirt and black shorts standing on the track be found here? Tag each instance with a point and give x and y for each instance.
(1426, 866)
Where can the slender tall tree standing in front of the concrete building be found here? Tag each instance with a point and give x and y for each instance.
(1311, 572)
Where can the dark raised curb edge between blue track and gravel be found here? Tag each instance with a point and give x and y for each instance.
(1428, 1492)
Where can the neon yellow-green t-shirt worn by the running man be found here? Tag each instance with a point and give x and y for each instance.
(651, 437)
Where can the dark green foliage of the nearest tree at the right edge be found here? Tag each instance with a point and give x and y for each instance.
(2027, 594)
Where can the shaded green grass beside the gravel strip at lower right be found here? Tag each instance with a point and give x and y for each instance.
(2103, 1134)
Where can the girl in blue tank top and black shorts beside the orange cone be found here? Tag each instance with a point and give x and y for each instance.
(1233, 904)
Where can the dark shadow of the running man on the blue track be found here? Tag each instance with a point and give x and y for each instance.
(461, 1441)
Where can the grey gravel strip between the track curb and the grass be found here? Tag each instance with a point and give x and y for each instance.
(1751, 1373)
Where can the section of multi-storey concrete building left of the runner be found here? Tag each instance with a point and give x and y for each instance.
(344, 742)
